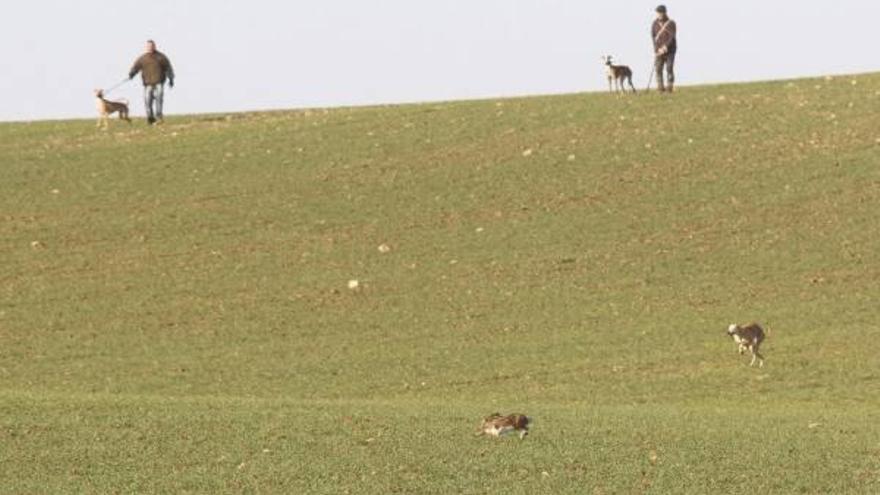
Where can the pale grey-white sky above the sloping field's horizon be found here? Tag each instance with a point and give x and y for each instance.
(270, 54)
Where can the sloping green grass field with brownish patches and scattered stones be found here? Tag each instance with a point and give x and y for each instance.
(175, 315)
